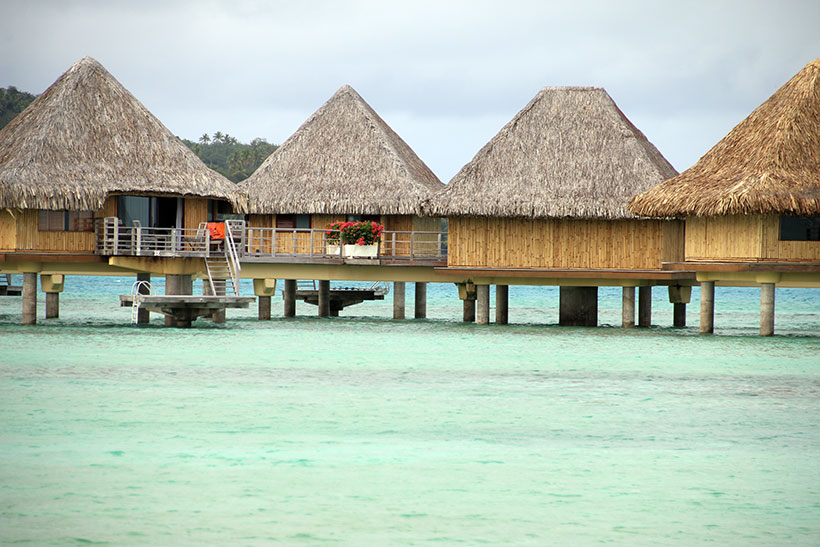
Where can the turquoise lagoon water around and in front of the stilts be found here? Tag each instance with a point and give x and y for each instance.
(363, 431)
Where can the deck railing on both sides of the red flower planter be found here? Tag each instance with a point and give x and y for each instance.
(319, 244)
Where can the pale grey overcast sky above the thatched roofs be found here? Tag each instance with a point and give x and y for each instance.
(446, 75)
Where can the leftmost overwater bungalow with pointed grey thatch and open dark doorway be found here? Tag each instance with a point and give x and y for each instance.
(87, 160)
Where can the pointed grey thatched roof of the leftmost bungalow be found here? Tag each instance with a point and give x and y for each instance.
(87, 137)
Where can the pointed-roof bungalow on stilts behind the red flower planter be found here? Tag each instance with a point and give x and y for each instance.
(344, 164)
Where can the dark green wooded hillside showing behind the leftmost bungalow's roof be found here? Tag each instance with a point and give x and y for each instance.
(220, 151)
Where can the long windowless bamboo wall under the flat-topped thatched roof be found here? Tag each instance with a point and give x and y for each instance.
(564, 243)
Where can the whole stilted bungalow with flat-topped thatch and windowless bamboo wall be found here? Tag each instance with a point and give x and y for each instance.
(544, 202)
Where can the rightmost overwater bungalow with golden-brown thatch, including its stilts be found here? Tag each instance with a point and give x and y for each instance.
(752, 203)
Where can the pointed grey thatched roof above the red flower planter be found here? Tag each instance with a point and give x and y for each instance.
(343, 160)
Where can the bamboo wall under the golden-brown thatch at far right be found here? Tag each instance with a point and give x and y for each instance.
(739, 238)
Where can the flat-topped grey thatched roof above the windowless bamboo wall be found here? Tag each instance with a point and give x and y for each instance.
(570, 153)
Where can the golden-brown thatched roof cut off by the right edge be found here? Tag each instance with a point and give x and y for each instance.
(768, 164)
